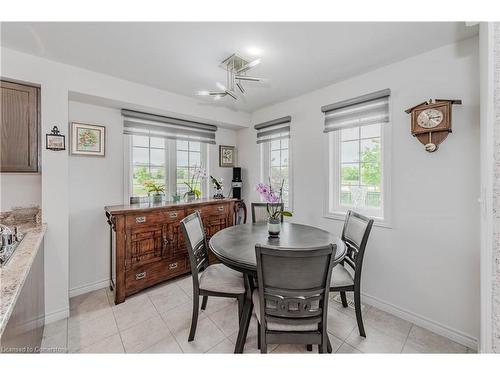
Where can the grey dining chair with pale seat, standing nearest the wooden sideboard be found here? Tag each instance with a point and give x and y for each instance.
(214, 280)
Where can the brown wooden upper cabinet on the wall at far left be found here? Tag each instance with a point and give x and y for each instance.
(20, 127)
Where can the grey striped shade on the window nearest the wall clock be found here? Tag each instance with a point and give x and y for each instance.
(364, 110)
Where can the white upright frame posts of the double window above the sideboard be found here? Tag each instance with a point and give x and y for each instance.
(170, 168)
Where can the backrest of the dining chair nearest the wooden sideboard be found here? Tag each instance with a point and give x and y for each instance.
(194, 234)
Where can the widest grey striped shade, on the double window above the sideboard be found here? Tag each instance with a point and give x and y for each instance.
(145, 124)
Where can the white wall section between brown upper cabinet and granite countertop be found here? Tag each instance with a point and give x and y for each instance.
(20, 190)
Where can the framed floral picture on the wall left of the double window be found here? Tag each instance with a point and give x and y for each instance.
(87, 139)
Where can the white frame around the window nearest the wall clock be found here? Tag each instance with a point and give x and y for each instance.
(333, 209)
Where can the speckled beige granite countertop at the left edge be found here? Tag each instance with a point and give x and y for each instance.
(14, 273)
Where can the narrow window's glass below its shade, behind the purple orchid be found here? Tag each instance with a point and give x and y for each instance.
(276, 164)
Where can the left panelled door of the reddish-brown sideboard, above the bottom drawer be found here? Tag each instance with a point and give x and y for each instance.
(144, 245)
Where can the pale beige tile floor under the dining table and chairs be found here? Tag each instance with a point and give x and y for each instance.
(158, 321)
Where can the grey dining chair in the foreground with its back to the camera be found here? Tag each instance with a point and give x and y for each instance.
(291, 302)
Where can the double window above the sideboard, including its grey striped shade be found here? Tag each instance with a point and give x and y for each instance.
(164, 150)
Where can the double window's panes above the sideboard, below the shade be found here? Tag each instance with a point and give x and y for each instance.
(166, 162)
